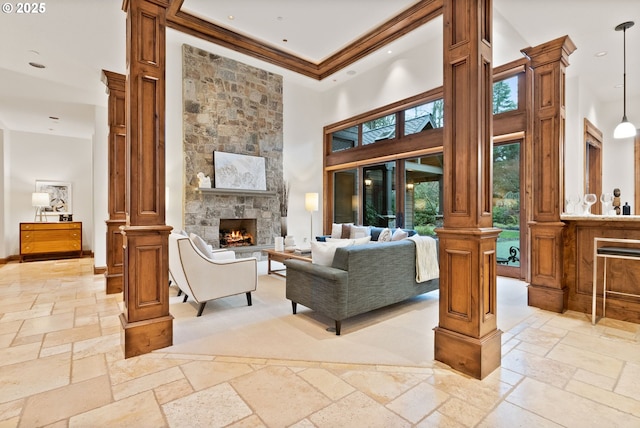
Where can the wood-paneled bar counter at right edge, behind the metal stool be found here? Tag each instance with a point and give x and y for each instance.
(622, 275)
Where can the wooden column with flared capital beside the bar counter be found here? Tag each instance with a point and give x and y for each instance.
(548, 62)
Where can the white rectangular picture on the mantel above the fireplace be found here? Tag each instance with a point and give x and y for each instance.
(241, 172)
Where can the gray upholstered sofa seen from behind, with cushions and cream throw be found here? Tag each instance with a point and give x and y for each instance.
(362, 278)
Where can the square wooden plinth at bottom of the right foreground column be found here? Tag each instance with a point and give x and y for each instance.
(468, 355)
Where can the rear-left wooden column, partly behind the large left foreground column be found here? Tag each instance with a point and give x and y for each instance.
(117, 198)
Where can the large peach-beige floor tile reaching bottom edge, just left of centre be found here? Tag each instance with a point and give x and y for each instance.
(278, 396)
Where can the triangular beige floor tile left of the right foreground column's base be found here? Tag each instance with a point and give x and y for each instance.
(382, 386)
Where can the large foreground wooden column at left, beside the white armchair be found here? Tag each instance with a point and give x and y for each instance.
(146, 321)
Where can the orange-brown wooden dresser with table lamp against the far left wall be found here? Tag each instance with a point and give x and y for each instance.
(50, 240)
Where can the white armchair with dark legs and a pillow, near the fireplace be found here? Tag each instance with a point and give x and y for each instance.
(206, 279)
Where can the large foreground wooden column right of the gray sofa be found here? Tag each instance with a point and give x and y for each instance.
(467, 338)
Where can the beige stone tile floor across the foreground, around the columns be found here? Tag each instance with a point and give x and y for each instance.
(61, 365)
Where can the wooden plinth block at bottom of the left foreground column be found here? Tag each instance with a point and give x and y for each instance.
(142, 337)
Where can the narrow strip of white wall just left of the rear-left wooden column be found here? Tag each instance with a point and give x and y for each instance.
(100, 189)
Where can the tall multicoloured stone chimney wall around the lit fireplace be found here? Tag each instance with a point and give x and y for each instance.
(231, 107)
